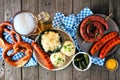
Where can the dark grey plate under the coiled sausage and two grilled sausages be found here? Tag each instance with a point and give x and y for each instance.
(87, 45)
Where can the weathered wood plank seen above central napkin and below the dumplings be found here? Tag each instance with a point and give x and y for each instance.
(65, 6)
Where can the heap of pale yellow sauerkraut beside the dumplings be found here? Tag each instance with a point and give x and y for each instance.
(50, 41)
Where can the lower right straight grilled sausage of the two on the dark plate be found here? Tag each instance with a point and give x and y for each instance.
(111, 44)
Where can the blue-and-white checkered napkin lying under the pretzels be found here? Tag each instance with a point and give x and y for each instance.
(31, 62)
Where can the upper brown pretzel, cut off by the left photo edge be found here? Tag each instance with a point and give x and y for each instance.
(15, 37)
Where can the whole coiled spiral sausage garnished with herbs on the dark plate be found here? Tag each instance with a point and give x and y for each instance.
(92, 28)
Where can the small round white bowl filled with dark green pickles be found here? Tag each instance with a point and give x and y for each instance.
(82, 61)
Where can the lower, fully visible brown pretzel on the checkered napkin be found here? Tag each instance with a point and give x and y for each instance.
(18, 47)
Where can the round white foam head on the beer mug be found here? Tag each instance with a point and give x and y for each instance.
(24, 23)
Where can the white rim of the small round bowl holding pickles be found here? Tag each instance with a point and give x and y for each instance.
(88, 66)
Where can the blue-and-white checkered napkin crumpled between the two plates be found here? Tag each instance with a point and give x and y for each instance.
(70, 23)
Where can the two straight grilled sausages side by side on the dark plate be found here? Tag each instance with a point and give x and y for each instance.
(108, 41)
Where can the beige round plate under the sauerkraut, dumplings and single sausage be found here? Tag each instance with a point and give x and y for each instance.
(65, 36)
